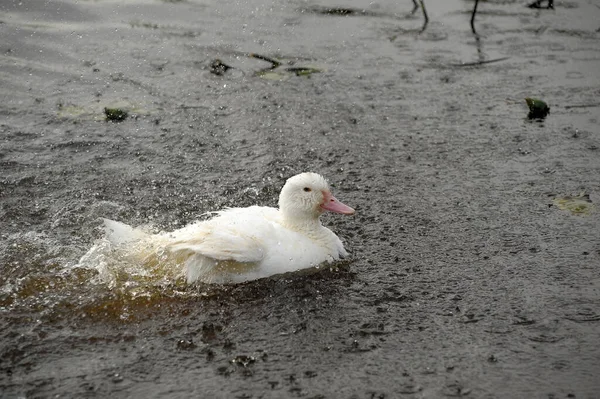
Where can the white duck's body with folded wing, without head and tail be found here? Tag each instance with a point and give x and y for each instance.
(243, 244)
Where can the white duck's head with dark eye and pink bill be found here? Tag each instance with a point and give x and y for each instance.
(306, 196)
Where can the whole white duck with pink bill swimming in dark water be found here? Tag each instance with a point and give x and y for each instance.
(242, 244)
